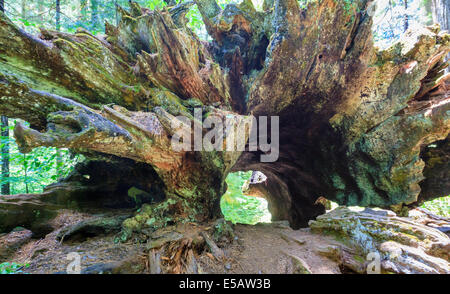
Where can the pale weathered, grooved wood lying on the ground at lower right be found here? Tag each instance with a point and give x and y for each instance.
(405, 246)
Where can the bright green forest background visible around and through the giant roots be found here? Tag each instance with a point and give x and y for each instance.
(29, 173)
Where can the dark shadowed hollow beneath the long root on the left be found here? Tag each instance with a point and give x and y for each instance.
(113, 184)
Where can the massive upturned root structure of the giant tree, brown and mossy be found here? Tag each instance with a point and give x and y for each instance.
(355, 121)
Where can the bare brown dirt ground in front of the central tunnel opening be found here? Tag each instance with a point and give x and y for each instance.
(267, 249)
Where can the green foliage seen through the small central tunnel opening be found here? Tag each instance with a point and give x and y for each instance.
(239, 208)
